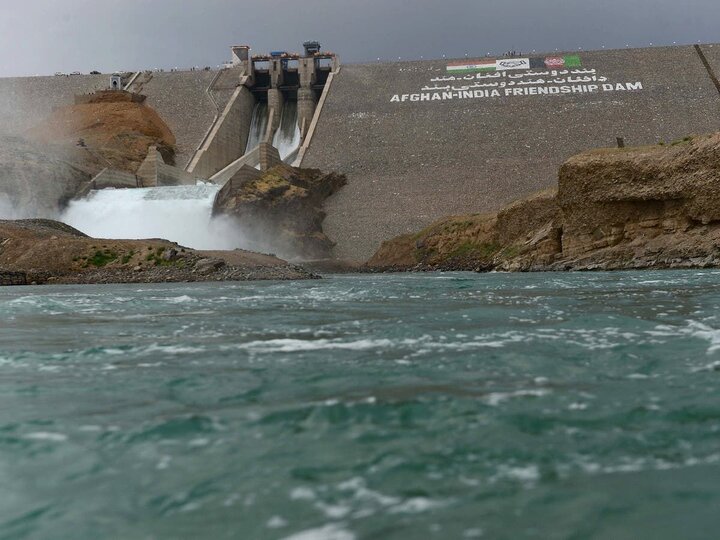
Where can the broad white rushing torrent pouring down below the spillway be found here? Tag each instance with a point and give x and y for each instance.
(182, 214)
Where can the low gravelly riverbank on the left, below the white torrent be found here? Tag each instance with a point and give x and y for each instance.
(44, 251)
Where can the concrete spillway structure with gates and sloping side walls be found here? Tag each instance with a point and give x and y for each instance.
(275, 103)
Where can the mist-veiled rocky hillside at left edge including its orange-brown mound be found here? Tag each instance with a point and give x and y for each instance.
(41, 171)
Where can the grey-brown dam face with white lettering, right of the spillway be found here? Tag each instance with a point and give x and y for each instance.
(418, 141)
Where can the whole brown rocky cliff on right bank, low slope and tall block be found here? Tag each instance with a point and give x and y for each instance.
(649, 207)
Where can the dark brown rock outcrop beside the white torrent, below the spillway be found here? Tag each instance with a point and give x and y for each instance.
(282, 209)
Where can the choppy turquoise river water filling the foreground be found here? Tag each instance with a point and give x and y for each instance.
(448, 406)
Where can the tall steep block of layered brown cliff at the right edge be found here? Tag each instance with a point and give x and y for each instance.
(613, 198)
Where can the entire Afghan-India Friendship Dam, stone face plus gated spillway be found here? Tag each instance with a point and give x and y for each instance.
(417, 140)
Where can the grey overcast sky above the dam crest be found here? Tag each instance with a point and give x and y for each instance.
(45, 36)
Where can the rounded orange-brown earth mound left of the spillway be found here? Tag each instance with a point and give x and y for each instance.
(116, 132)
